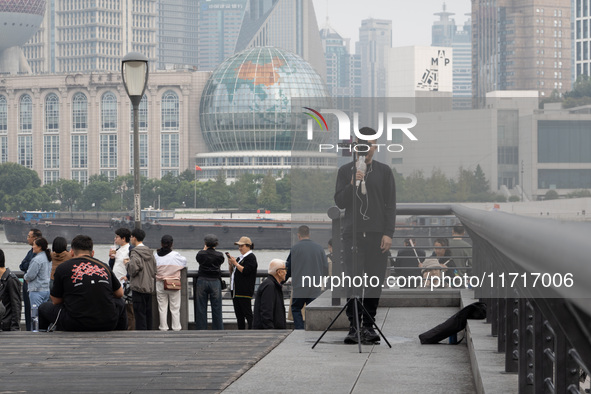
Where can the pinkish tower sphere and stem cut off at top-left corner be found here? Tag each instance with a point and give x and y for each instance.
(19, 21)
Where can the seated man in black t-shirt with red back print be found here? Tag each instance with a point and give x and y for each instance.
(85, 295)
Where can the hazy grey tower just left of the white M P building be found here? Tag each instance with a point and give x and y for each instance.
(375, 41)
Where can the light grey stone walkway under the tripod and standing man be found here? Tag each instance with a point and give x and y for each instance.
(332, 367)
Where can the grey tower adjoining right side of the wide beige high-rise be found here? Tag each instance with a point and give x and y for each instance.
(177, 34)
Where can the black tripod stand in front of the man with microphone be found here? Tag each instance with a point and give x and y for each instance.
(355, 299)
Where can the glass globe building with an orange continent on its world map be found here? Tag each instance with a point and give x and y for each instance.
(252, 116)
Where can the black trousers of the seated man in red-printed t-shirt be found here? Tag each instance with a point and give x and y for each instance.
(48, 313)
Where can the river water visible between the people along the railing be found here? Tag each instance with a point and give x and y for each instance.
(15, 252)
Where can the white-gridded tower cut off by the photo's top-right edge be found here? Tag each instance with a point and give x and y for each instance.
(582, 21)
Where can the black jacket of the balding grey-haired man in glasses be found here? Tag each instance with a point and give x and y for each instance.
(269, 310)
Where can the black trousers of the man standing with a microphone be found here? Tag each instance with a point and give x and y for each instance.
(369, 263)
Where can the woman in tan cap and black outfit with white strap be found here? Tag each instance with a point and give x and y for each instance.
(244, 272)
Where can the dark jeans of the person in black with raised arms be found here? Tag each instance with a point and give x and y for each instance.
(212, 290)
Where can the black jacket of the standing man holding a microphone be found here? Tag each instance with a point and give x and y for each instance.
(376, 210)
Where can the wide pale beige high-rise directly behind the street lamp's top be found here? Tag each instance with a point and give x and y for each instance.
(82, 36)
